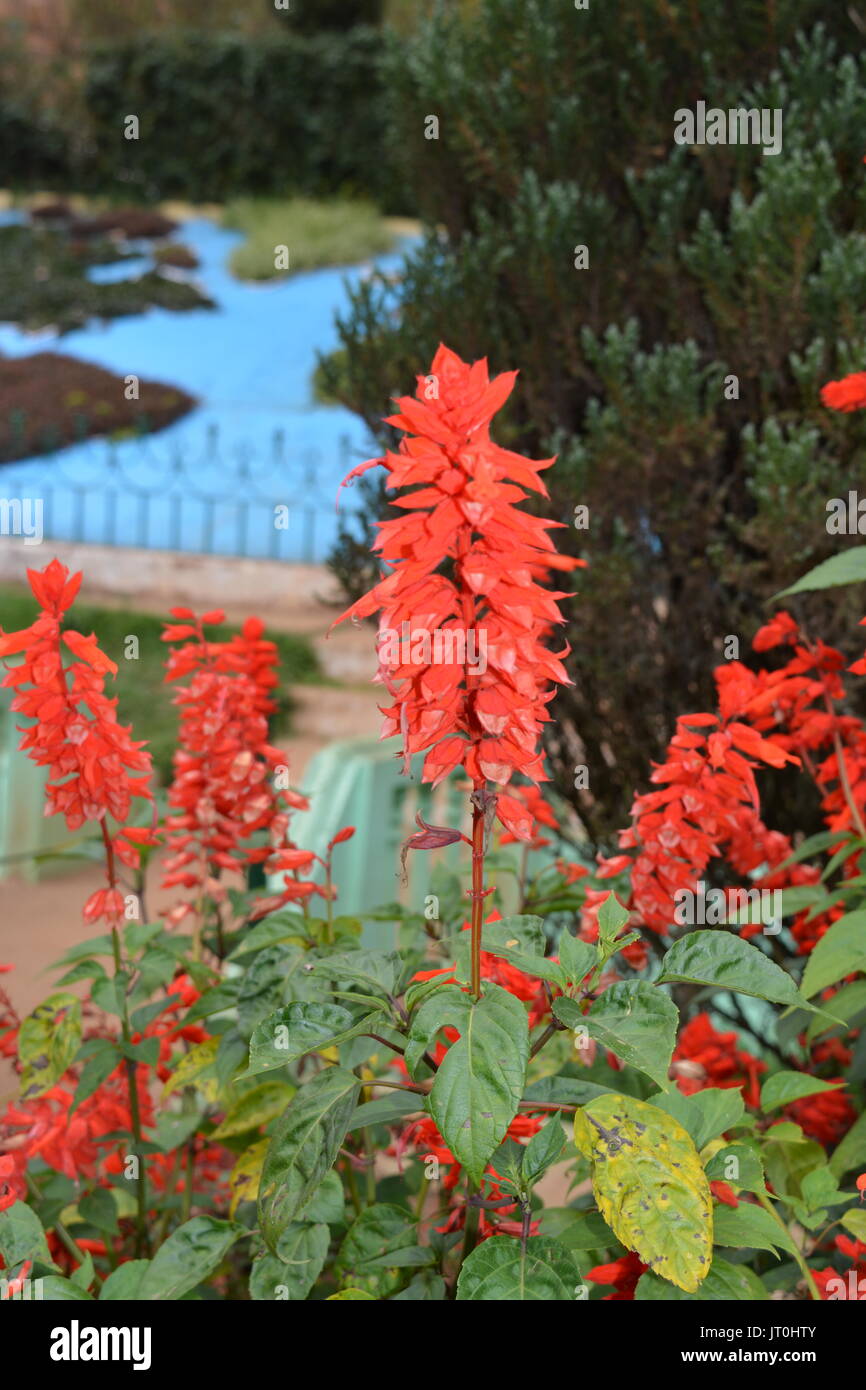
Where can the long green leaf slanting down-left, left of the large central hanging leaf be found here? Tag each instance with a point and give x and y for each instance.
(304, 1149)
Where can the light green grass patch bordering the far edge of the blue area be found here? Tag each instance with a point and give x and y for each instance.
(316, 233)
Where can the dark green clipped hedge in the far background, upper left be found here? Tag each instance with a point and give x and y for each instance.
(295, 112)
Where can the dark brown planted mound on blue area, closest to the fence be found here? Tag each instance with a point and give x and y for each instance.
(49, 401)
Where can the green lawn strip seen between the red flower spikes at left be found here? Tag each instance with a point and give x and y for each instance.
(144, 701)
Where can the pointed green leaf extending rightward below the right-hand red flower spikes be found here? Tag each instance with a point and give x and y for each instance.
(728, 963)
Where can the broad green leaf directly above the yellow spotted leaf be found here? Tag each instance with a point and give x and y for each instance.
(635, 1021)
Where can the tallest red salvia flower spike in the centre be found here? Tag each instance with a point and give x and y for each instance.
(477, 701)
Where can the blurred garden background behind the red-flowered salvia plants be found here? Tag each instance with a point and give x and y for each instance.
(230, 236)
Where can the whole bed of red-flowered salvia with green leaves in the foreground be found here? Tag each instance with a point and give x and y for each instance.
(646, 1084)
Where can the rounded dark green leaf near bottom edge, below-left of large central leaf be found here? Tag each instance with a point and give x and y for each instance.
(379, 1246)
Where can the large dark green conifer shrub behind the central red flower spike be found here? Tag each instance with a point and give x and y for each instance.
(557, 131)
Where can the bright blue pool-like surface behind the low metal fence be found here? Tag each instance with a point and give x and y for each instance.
(256, 440)
